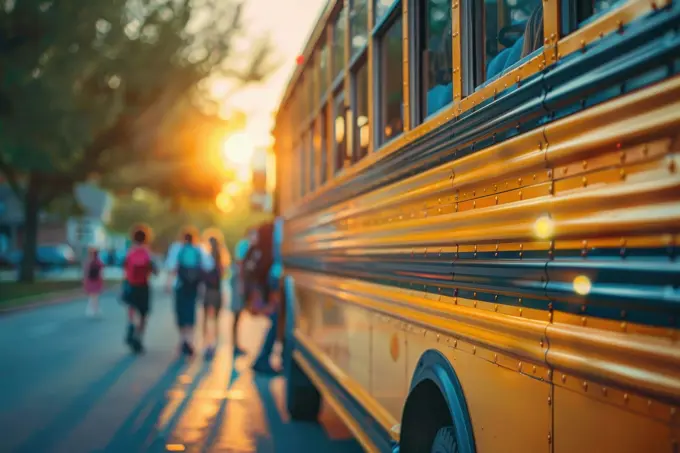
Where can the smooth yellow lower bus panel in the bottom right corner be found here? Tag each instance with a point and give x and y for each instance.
(586, 425)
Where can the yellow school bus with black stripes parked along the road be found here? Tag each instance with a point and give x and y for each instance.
(482, 213)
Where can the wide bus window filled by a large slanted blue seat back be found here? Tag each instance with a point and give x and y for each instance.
(513, 30)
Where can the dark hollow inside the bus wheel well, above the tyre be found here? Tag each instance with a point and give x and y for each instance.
(425, 412)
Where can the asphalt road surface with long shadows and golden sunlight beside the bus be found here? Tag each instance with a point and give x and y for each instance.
(68, 384)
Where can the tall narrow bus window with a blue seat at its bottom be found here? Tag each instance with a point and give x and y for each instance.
(435, 56)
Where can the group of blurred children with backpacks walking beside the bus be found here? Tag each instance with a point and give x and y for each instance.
(197, 268)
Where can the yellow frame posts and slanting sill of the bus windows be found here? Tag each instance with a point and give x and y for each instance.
(557, 45)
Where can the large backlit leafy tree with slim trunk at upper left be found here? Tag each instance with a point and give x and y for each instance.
(87, 86)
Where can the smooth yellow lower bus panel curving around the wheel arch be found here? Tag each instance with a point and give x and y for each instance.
(510, 410)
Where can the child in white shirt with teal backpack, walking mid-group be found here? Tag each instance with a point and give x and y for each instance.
(187, 263)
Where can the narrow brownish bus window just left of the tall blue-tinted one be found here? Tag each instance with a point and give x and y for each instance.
(391, 80)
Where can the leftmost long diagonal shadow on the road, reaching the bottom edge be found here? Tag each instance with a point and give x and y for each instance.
(73, 415)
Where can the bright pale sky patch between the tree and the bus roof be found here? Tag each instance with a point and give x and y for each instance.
(289, 24)
